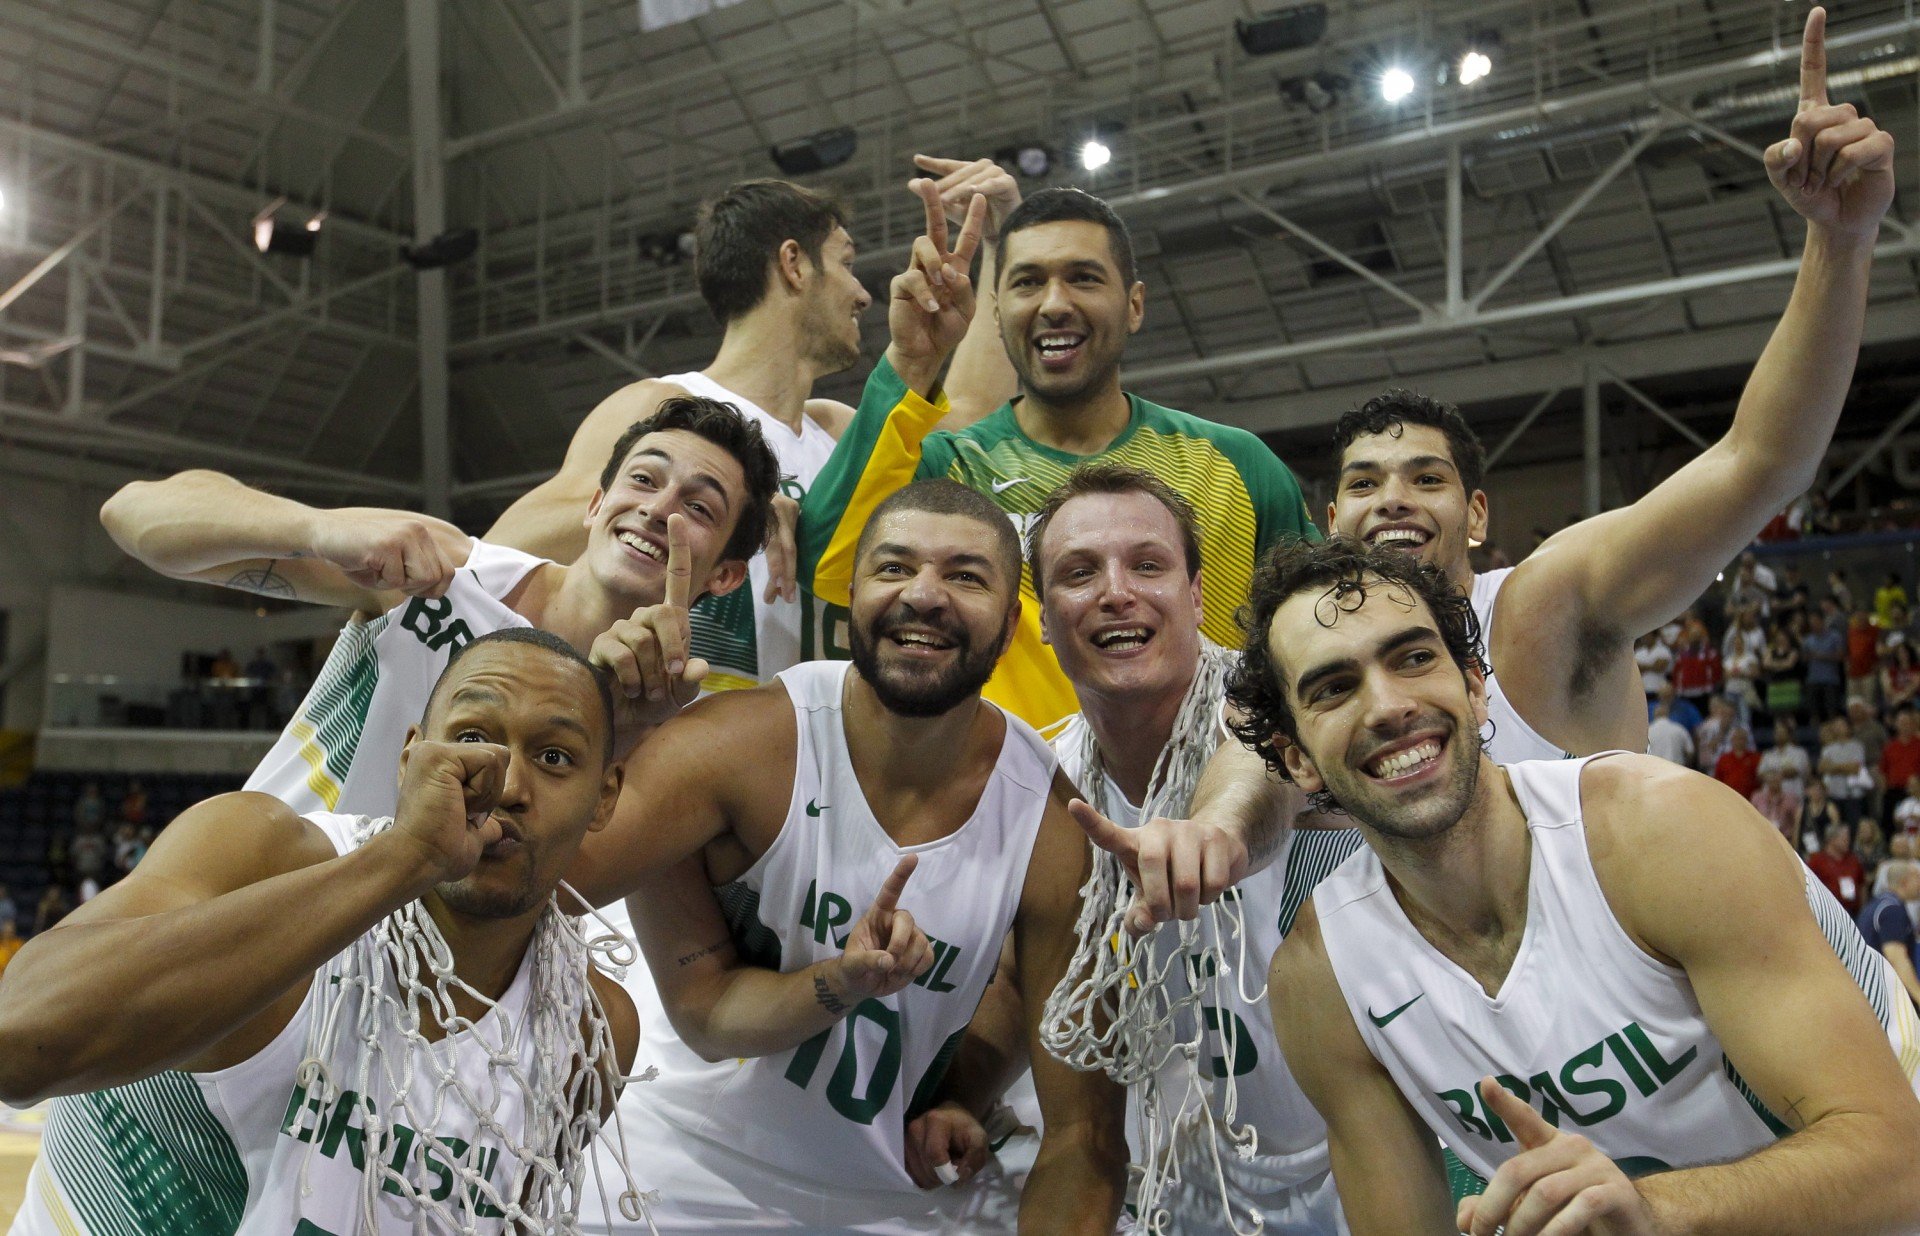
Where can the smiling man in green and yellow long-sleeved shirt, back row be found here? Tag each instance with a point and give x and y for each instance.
(1067, 304)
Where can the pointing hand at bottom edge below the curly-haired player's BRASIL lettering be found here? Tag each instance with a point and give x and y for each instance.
(1560, 1183)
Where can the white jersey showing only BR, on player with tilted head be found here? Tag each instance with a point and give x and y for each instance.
(341, 753)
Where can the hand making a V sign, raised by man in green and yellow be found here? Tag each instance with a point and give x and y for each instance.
(932, 302)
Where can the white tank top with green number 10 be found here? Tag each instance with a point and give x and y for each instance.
(834, 1110)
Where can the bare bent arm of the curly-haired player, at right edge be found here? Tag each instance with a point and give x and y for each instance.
(1788, 1016)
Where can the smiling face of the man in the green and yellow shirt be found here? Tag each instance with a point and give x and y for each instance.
(1065, 312)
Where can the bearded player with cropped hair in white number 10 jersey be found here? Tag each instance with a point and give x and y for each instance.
(759, 819)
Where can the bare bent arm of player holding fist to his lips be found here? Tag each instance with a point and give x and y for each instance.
(193, 961)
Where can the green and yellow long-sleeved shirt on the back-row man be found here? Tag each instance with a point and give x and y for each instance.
(1245, 496)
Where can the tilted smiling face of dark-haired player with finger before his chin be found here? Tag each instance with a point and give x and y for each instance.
(667, 473)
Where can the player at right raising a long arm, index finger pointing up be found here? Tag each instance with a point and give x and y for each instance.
(1560, 629)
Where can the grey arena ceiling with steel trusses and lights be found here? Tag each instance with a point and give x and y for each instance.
(1595, 204)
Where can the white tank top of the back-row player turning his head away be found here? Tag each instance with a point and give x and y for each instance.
(744, 638)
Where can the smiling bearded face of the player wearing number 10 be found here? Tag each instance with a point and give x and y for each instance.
(932, 611)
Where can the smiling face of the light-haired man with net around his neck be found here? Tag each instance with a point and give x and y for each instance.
(1120, 609)
